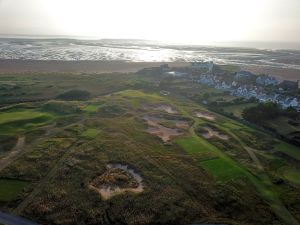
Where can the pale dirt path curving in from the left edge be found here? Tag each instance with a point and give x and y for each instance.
(13, 154)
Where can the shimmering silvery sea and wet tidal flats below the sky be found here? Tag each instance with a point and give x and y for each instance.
(72, 49)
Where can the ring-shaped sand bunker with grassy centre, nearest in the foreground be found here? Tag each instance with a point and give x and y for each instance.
(118, 179)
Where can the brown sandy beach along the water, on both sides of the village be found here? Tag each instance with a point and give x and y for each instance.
(17, 66)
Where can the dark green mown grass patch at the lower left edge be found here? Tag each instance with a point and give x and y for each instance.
(9, 189)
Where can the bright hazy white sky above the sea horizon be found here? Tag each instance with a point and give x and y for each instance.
(184, 21)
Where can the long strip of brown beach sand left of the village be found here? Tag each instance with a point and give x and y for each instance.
(31, 66)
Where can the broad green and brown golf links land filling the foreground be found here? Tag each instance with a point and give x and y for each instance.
(58, 168)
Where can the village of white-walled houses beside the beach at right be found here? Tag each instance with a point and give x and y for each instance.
(263, 88)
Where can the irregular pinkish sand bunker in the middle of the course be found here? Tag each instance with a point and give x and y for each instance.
(162, 132)
